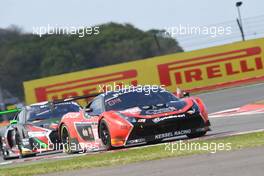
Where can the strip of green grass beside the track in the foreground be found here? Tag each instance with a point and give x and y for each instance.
(130, 156)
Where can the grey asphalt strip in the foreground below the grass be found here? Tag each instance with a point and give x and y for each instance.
(246, 162)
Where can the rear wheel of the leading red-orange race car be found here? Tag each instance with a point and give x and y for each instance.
(66, 140)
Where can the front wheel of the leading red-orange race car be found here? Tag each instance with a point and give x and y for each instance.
(105, 135)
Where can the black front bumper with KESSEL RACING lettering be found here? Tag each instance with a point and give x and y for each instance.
(153, 129)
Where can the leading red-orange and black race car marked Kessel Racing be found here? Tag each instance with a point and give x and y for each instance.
(125, 118)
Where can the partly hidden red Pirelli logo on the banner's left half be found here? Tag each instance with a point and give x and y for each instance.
(84, 86)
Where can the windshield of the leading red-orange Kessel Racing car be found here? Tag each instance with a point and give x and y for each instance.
(122, 101)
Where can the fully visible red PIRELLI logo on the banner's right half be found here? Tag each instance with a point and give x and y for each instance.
(207, 67)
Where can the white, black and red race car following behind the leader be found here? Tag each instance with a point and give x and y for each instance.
(34, 129)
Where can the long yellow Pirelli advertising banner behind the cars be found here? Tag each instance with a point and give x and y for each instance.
(196, 70)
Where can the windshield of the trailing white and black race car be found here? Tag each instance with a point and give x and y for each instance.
(47, 112)
